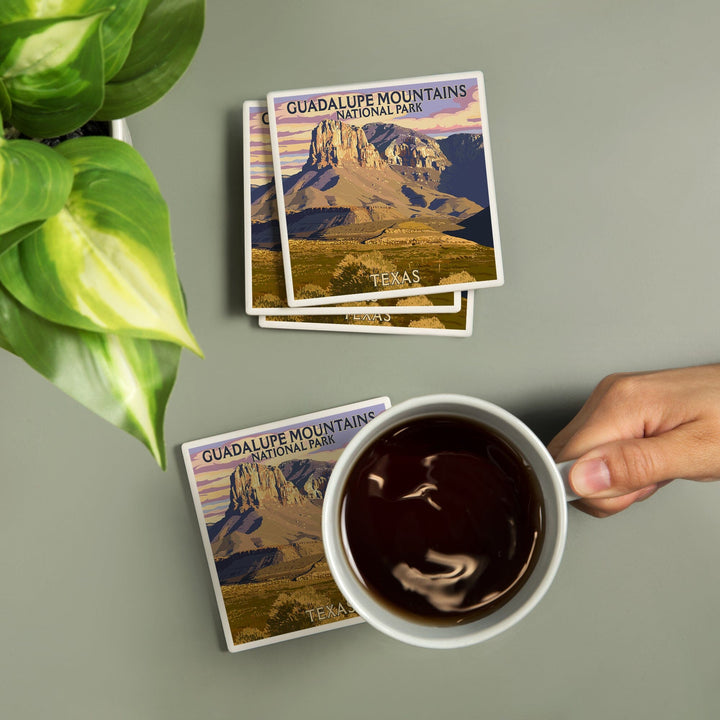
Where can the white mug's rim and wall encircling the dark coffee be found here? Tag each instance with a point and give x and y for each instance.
(555, 489)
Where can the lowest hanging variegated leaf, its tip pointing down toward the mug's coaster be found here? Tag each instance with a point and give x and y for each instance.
(125, 380)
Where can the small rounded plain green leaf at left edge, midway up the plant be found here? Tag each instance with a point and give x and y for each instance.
(35, 182)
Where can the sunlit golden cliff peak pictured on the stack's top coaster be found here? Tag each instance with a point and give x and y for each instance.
(335, 144)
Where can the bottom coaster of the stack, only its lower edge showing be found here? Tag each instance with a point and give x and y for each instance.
(376, 320)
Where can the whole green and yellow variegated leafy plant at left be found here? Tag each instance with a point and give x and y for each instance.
(89, 293)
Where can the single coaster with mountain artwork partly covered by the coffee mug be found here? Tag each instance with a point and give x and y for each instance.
(258, 497)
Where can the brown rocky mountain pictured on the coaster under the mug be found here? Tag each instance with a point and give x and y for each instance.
(271, 528)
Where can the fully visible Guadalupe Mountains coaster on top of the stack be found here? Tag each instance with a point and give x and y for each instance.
(385, 189)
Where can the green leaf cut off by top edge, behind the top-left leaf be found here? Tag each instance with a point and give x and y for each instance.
(117, 30)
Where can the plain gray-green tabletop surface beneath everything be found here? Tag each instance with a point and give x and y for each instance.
(604, 127)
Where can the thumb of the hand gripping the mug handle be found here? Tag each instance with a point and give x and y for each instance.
(625, 466)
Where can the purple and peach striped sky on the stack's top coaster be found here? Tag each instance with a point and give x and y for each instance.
(438, 119)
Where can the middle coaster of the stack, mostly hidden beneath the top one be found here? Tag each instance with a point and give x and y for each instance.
(265, 291)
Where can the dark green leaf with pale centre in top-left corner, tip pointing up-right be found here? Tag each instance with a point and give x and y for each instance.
(53, 73)
